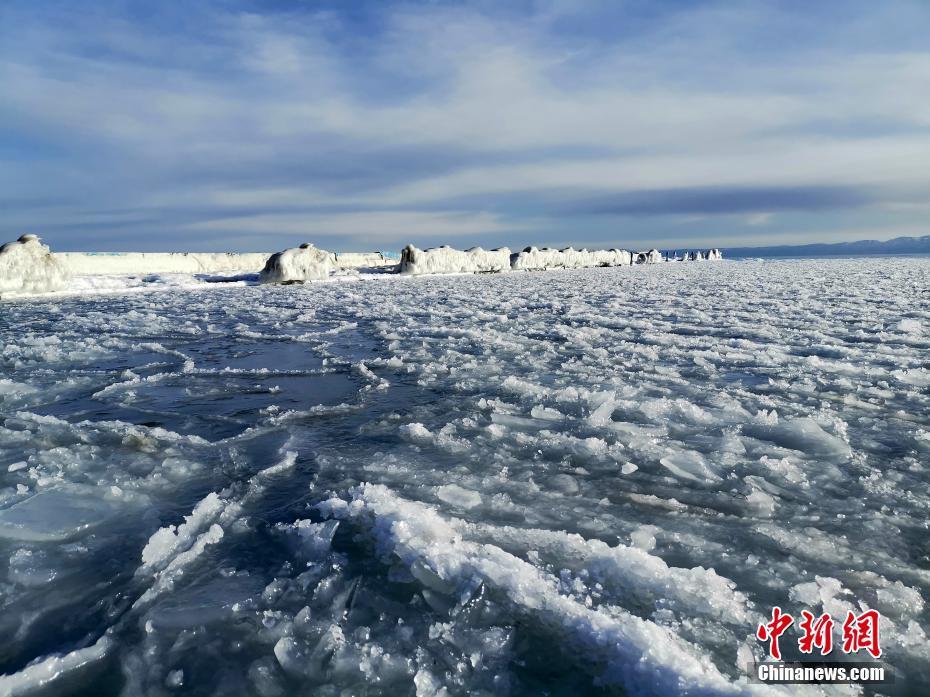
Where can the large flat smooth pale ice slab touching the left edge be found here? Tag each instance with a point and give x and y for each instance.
(53, 515)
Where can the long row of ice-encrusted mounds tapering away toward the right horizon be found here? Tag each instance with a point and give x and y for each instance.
(444, 259)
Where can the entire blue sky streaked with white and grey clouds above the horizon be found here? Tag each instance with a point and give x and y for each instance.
(247, 125)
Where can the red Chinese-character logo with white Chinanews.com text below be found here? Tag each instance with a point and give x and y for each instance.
(859, 636)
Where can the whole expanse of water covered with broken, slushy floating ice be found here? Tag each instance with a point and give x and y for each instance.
(588, 482)
